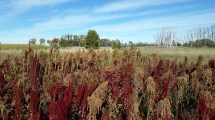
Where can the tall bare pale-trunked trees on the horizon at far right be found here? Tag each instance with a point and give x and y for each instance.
(196, 37)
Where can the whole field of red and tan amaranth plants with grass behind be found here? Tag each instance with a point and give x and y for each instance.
(146, 83)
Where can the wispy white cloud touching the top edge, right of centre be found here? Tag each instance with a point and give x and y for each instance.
(133, 4)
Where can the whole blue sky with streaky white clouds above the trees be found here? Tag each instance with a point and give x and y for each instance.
(130, 20)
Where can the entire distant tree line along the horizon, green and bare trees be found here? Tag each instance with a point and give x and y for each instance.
(203, 36)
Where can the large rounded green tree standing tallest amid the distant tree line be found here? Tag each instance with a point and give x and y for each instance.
(92, 39)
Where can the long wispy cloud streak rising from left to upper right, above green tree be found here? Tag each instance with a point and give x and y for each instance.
(77, 21)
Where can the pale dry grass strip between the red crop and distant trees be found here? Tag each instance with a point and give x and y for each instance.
(167, 53)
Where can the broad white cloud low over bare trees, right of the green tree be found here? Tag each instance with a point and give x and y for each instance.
(145, 28)
